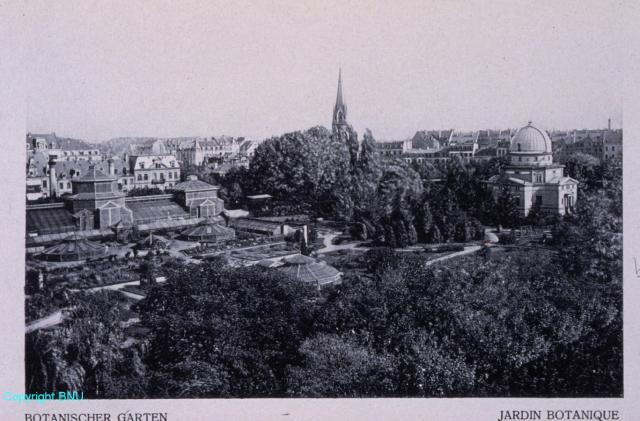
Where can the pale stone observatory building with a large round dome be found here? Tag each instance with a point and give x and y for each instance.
(533, 178)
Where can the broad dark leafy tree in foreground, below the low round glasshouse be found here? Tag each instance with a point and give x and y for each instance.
(245, 324)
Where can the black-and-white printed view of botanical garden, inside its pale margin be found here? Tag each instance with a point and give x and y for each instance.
(360, 199)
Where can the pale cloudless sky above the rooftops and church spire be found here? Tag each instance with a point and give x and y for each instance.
(98, 70)
